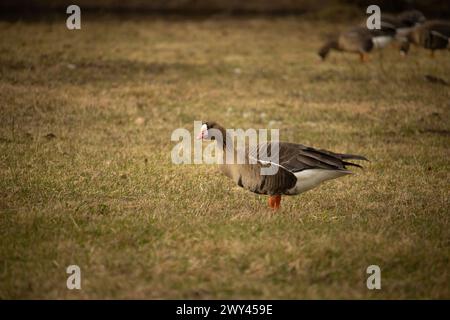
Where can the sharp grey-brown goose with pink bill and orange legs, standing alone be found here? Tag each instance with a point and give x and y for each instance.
(300, 168)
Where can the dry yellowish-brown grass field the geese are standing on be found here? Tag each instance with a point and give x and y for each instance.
(86, 176)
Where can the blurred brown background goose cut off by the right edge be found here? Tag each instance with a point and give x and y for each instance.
(432, 35)
